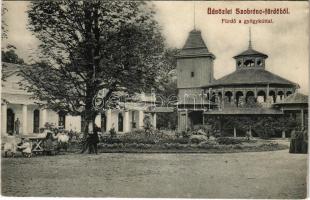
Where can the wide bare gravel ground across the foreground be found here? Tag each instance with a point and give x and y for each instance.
(274, 174)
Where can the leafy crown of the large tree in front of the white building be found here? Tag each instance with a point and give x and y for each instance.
(88, 46)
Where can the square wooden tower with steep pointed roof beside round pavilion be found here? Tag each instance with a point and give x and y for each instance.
(194, 71)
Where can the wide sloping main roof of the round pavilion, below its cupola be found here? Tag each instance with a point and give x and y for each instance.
(251, 76)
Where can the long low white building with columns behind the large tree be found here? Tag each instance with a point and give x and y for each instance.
(20, 111)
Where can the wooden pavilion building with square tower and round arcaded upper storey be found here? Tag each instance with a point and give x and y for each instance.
(249, 90)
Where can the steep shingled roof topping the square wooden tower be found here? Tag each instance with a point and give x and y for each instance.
(195, 46)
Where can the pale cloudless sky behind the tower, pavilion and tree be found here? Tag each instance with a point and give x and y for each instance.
(285, 41)
